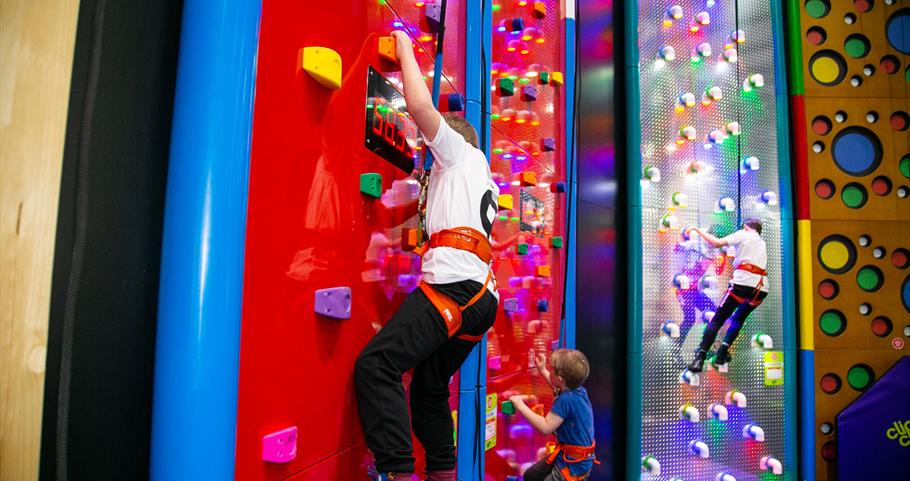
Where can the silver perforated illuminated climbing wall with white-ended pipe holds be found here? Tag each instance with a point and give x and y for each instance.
(709, 158)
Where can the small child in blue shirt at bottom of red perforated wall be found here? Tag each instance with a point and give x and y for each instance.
(571, 418)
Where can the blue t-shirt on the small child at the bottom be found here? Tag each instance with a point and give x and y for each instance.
(577, 427)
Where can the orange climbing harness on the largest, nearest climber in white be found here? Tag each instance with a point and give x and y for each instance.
(466, 239)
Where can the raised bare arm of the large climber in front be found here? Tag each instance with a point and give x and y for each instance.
(416, 94)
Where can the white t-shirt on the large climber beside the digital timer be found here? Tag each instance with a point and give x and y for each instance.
(461, 194)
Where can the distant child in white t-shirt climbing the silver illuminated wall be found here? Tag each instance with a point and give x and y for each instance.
(748, 288)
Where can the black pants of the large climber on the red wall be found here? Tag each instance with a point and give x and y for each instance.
(416, 337)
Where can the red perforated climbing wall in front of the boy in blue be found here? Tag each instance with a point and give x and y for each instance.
(528, 161)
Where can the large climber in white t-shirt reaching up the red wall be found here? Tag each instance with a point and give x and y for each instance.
(439, 323)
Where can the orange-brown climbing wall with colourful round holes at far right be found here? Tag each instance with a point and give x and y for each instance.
(850, 87)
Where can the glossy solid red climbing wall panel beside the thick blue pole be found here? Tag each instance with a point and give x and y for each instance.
(309, 227)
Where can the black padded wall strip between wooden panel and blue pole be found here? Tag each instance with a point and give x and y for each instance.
(98, 392)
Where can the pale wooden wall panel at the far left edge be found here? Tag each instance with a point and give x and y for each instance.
(36, 54)
